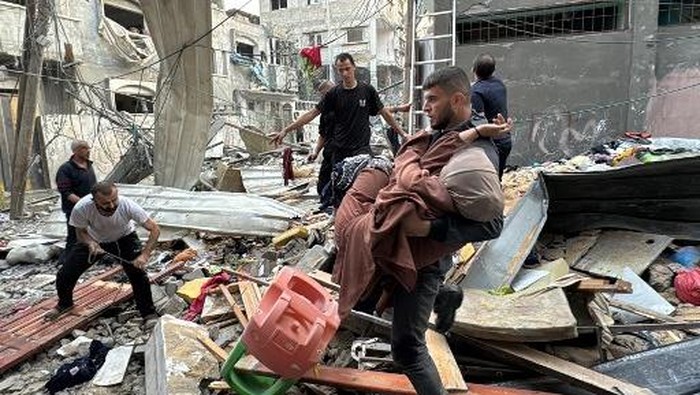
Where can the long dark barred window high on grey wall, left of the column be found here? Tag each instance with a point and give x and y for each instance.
(554, 21)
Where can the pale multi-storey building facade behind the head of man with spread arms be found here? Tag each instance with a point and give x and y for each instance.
(371, 30)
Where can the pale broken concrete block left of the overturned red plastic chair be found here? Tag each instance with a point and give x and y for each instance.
(175, 360)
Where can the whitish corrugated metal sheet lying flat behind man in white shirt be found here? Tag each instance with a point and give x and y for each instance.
(217, 212)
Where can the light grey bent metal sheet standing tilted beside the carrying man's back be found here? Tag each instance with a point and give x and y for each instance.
(498, 261)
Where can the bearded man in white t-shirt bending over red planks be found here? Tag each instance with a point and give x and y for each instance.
(105, 222)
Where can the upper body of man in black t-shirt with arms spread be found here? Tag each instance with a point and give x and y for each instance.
(352, 103)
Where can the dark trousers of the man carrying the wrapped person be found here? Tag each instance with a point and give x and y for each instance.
(412, 311)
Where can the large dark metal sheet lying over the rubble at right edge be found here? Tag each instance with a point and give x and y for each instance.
(659, 197)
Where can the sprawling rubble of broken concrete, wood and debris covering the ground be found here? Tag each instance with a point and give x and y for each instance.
(569, 304)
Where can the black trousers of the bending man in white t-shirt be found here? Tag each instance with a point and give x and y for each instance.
(77, 262)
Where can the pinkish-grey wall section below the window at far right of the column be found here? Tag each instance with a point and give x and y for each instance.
(678, 71)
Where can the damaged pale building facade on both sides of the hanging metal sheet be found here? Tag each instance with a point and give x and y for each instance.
(100, 76)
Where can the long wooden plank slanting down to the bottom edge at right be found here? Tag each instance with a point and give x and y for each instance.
(556, 367)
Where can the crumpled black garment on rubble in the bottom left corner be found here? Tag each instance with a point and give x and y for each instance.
(80, 370)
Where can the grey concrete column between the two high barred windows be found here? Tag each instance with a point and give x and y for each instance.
(644, 26)
